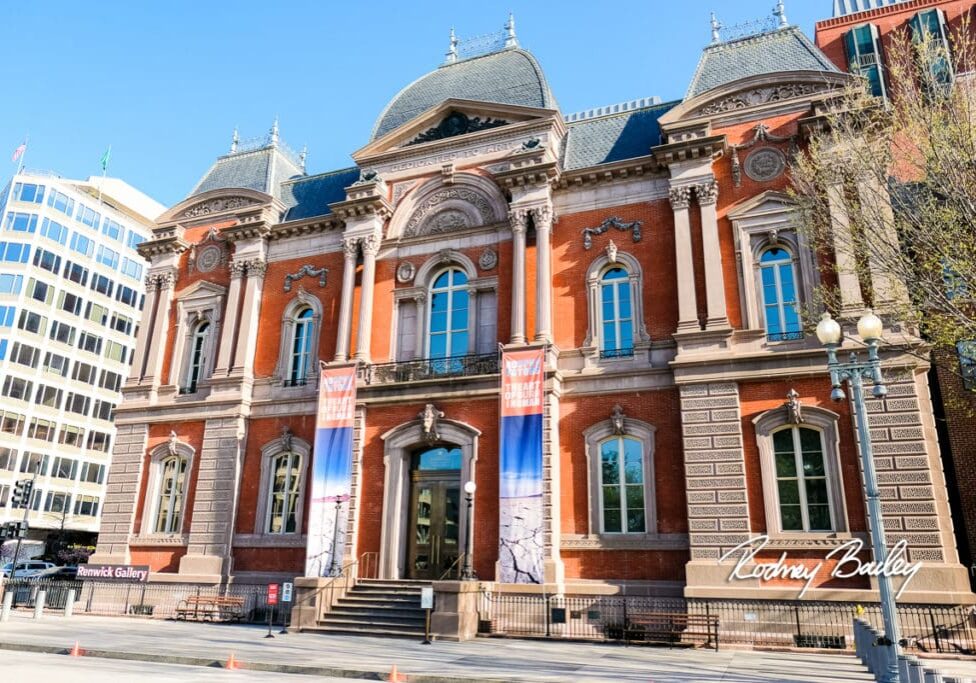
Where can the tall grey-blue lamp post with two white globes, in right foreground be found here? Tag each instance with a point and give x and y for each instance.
(854, 372)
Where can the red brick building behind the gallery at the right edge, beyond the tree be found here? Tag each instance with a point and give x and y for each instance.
(857, 36)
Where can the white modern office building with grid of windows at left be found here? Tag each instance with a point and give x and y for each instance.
(71, 296)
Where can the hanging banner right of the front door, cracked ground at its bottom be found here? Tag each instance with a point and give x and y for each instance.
(520, 552)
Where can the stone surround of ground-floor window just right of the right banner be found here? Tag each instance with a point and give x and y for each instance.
(596, 435)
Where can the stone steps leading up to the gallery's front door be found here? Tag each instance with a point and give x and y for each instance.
(378, 607)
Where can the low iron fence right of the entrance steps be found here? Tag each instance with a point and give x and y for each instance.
(765, 623)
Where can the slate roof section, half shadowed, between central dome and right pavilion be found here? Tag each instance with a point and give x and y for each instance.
(606, 139)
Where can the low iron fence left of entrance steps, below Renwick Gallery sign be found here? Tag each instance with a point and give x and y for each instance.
(153, 600)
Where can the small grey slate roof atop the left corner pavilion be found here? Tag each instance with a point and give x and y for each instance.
(263, 169)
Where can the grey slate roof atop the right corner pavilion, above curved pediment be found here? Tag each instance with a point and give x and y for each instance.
(785, 49)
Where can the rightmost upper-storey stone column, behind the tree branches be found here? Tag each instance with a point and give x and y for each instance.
(884, 251)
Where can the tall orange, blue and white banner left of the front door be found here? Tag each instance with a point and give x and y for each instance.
(331, 471)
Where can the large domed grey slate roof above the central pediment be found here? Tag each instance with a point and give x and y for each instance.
(509, 76)
